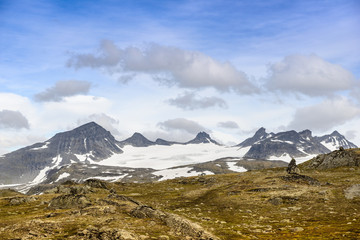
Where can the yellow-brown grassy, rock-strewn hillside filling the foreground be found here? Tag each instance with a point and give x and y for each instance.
(259, 204)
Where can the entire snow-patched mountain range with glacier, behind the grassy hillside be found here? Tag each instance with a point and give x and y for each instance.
(92, 151)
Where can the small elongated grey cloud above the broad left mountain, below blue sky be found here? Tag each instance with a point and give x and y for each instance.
(63, 89)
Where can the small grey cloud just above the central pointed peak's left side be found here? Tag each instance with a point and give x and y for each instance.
(182, 124)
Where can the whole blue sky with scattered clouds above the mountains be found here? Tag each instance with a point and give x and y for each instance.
(169, 69)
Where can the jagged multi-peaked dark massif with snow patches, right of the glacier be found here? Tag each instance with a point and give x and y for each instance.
(290, 144)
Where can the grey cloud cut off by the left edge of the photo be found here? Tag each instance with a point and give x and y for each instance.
(13, 119)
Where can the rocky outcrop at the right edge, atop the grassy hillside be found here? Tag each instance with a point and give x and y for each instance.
(339, 158)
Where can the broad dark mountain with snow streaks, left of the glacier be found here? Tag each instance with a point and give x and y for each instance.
(89, 142)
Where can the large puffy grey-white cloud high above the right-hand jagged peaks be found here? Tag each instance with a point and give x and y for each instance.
(309, 75)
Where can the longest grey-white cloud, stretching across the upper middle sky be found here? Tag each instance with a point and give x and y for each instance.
(168, 65)
